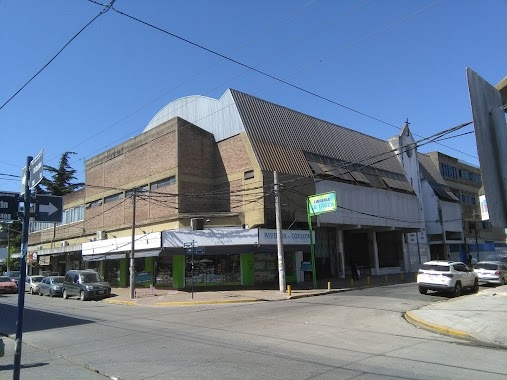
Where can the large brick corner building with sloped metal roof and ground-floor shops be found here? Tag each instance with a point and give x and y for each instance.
(212, 161)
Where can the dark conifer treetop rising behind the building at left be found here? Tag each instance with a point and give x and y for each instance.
(62, 178)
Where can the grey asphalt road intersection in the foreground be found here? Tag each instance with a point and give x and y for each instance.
(358, 334)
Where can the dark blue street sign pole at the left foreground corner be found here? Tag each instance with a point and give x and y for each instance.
(22, 277)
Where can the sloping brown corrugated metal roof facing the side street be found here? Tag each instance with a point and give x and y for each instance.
(280, 126)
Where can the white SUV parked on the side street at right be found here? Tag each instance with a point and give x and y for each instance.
(447, 276)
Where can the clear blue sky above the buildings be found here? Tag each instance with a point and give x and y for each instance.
(391, 60)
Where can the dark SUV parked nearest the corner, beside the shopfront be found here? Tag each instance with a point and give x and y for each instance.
(85, 284)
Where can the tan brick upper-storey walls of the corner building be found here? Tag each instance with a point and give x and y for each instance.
(206, 173)
